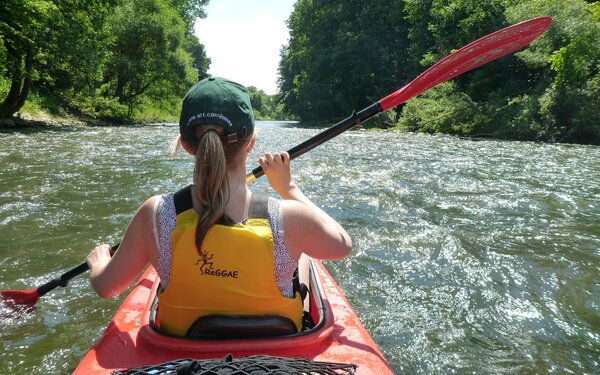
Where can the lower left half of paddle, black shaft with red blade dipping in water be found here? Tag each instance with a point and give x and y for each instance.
(30, 297)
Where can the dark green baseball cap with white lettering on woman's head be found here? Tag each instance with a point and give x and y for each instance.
(217, 101)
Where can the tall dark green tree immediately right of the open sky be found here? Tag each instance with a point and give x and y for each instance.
(342, 55)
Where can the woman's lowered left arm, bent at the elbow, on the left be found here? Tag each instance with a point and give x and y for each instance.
(111, 276)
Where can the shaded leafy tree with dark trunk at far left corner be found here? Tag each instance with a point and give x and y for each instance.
(45, 40)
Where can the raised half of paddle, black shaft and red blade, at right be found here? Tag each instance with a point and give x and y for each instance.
(474, 54)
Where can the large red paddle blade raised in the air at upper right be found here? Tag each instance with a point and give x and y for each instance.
(479, 52)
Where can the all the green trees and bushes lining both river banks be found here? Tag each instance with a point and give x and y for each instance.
(134, 59)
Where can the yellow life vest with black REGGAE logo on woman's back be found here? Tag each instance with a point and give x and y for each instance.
(234, 274)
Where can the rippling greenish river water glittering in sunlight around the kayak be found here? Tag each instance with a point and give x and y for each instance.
(469, 256)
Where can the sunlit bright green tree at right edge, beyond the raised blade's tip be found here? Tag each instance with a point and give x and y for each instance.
(569, 103)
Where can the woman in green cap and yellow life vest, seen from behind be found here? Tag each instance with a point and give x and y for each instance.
(219, 249)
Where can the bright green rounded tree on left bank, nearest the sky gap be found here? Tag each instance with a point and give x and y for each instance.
(148, 51)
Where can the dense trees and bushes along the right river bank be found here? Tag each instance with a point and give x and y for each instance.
(346, 54)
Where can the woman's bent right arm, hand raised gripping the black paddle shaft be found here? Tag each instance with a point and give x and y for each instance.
(307, 228)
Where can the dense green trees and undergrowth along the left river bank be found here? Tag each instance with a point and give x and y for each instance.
(113, 59)
